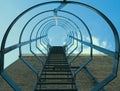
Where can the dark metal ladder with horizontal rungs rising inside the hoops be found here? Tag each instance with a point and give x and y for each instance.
(56, 74)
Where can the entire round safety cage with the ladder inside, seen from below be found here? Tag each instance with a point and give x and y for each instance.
(57, 72)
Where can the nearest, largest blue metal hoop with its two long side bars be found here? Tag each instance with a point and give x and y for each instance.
(114, 54)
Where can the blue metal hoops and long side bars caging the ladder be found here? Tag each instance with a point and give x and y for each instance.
(73, 42)
